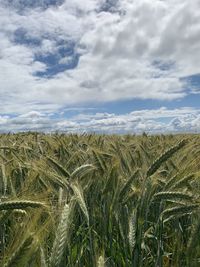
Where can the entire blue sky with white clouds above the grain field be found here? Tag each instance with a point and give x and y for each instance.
(105, 66)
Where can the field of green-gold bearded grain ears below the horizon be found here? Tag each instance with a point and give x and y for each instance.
(99, 200)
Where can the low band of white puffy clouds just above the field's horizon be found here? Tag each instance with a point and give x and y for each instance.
(150, 121)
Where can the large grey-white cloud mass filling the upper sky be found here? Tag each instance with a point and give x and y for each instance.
(55, 54)
